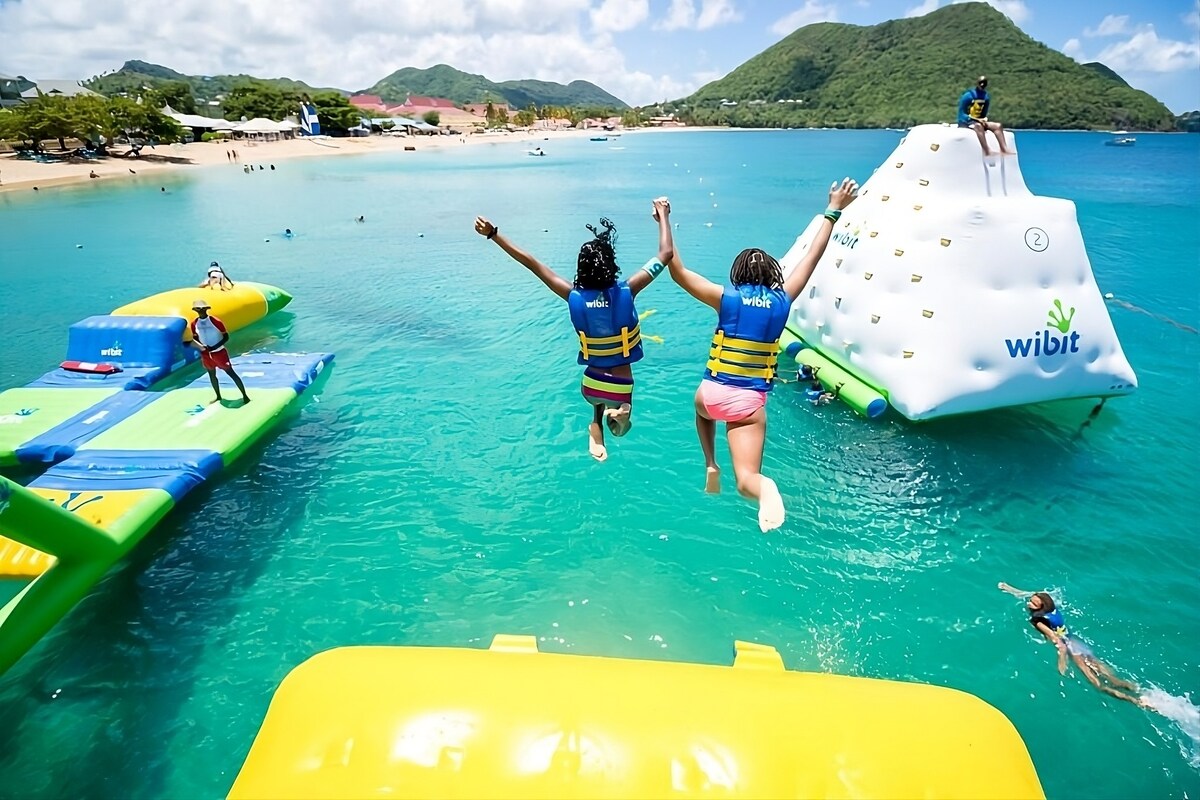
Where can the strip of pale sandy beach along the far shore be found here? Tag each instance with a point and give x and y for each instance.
(20, 176)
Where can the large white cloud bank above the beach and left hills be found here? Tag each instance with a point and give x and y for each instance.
(345, 44)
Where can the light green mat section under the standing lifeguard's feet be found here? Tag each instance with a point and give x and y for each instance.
(188, 419)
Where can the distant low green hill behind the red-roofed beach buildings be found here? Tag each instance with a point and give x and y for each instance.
(445, 81)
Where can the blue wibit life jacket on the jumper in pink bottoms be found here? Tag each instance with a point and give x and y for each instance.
(746, 346)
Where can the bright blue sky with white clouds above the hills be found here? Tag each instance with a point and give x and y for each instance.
(643, 51)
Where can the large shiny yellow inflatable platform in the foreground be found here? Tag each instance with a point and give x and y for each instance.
(513, 723)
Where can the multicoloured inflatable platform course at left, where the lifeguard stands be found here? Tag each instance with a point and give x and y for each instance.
(119, 450)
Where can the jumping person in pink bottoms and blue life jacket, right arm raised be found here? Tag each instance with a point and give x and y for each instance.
(752, 311)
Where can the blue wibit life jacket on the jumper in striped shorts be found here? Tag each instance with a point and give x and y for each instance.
(607, 323)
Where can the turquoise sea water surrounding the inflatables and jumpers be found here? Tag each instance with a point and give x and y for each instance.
(436, 489)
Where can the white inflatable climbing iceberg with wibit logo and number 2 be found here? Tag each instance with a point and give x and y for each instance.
(950, 288)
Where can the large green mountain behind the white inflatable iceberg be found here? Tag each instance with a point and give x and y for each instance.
(905, 73)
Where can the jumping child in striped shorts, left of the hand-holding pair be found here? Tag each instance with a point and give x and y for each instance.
(605, 318)
